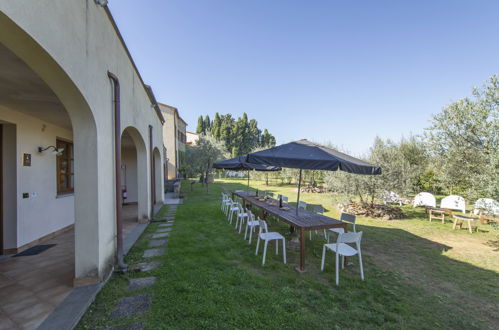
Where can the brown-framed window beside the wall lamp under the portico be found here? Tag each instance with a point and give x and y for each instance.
(65, 168)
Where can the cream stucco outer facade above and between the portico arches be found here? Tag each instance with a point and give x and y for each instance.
(72, 45)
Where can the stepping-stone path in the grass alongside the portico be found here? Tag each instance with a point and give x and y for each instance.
(140, 304)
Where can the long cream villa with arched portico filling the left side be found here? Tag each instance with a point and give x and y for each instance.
(80, 135)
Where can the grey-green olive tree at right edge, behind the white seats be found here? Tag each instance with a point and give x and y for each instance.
(464, 139)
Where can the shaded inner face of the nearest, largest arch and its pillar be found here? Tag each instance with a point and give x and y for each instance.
(90, 259)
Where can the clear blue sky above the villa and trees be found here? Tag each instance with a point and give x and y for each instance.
(329, 71)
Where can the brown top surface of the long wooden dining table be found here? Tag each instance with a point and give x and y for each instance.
(304, 220)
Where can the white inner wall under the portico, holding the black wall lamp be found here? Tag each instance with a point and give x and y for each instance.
(43, 212)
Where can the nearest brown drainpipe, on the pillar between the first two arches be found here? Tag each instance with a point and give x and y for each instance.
(117, 163)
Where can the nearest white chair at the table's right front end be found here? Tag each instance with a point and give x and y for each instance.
(342, 249)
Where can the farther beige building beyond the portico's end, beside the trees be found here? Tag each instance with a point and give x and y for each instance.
(175, 138)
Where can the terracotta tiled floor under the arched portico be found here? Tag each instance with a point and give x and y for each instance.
(32, 286)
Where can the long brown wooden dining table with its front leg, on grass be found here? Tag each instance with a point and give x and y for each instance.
(304, 220)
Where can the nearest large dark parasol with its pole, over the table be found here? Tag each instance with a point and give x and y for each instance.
(306, 155)
